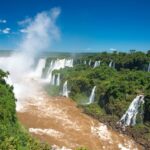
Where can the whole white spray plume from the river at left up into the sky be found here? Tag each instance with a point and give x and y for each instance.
(38, 35)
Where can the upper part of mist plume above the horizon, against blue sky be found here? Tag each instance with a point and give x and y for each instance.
(39, 32)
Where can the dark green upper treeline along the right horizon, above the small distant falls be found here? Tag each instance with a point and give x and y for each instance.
(134, 60)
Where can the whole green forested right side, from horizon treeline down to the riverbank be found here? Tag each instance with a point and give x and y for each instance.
(116, 86)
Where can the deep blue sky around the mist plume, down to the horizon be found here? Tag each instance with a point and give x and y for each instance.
(85, 25)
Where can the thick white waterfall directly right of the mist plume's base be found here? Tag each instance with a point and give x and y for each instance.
(40, 67)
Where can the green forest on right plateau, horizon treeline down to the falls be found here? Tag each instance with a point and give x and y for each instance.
(115, 87)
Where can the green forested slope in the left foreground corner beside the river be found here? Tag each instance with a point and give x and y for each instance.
(12, 135)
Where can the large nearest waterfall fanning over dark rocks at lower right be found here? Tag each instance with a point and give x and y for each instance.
(129, 118)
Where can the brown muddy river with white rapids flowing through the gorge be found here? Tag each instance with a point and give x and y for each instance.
(58, 121)
